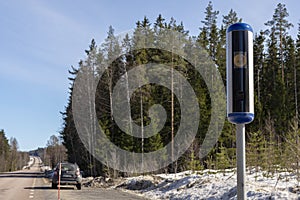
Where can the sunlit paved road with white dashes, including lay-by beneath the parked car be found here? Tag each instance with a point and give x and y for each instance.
(30, 184)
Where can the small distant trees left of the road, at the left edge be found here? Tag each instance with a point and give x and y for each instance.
(11, 159)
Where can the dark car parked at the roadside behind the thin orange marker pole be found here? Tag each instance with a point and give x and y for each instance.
(70, 175)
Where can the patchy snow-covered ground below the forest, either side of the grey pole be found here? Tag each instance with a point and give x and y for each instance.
(213, 185)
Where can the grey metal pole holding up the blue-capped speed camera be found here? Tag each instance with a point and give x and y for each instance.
(241, 161)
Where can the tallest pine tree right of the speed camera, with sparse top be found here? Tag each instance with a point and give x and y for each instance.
(276, 101)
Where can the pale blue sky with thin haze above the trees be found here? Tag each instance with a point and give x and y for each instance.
(41, 39)
